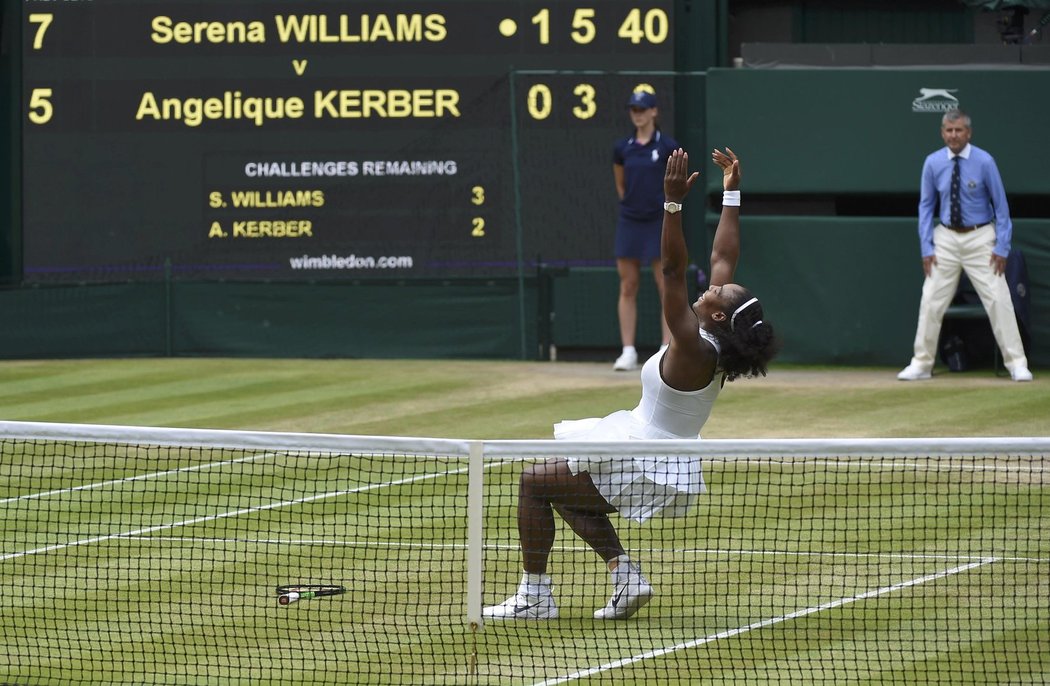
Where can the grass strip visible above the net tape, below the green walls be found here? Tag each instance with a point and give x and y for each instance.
(794, 403)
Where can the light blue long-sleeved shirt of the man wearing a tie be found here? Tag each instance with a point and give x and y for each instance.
(982, 196)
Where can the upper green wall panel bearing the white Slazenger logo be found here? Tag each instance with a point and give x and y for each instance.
(855, 132)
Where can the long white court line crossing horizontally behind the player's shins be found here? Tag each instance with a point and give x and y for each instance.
(584, 549)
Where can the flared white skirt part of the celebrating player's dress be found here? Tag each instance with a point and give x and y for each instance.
(639, 488)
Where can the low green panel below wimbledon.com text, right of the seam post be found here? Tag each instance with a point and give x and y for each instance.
(367, 320)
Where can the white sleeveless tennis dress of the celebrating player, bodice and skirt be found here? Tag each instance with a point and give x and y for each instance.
(642, 487)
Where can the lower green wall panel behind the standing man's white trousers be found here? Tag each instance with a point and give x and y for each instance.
(846, 290)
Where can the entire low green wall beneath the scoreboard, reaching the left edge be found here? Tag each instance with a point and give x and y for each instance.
(440, 320)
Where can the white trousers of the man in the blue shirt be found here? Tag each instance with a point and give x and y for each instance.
(971, 253)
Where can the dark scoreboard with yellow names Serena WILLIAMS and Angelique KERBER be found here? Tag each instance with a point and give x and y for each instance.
(311, 140)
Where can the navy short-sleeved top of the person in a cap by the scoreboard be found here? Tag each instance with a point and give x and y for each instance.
(644, 169)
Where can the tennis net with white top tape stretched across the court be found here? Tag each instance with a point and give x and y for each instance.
(136, 555)
